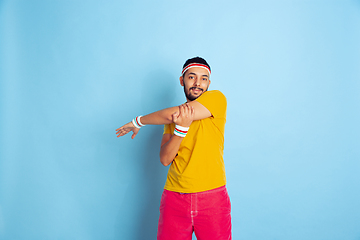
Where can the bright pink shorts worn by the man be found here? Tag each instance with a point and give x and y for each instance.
(207, 213)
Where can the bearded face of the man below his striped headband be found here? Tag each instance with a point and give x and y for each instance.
(196, 81)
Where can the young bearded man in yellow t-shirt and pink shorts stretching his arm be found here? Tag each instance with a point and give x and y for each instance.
(195, 197)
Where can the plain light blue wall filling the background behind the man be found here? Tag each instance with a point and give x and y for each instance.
(71, 72)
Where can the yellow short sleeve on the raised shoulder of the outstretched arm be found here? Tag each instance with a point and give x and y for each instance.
(215, 102)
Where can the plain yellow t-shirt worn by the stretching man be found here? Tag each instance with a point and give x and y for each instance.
(199, 164)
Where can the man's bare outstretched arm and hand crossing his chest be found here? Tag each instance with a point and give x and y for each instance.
(164, 116)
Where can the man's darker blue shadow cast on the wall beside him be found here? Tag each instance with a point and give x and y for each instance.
(139, 211)
